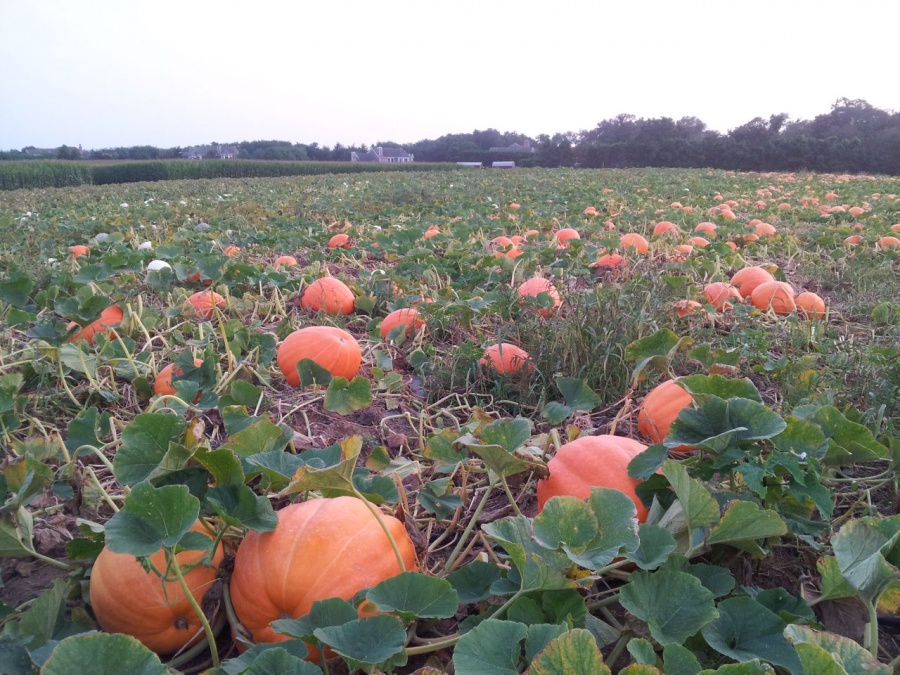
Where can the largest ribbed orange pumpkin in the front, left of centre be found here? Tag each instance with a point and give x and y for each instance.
(321, 548)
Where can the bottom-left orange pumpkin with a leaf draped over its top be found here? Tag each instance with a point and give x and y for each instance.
(127, 599)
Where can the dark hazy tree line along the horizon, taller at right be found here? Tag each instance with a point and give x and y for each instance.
(853, 137)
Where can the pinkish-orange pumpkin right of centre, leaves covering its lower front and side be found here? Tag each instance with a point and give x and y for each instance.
(592, 461)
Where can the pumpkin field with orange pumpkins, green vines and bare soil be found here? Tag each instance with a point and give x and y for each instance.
(477, 422)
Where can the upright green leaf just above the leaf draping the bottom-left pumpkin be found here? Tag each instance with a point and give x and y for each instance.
(145, 442)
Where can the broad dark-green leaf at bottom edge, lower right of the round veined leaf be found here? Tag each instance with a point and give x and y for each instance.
(745, 630)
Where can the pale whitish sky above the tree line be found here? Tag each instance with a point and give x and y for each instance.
(108, 73)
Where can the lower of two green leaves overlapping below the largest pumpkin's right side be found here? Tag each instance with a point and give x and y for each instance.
(367, 642)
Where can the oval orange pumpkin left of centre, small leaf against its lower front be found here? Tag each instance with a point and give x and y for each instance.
(333, 349)
